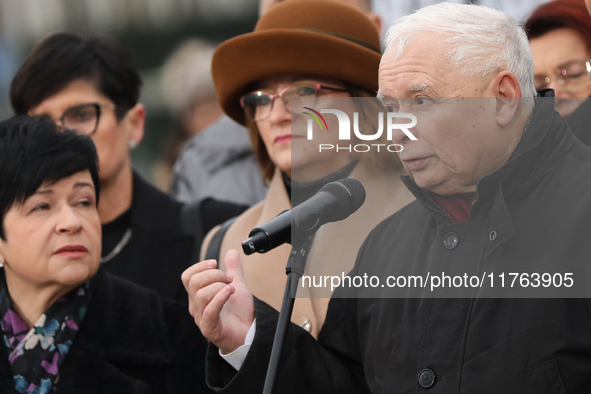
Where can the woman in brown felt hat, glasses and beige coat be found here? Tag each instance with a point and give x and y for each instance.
(309, 49)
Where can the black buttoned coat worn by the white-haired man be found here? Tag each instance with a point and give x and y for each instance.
(539, 205)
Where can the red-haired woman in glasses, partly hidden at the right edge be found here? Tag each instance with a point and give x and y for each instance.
(559, 35)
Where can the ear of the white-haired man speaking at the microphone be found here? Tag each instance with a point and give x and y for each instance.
(507, 91)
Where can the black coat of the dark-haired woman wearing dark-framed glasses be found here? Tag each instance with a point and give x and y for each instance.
(160, 248)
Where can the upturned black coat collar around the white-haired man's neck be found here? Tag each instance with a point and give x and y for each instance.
(544, 142)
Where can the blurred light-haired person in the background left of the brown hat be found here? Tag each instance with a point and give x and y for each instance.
(189, 92)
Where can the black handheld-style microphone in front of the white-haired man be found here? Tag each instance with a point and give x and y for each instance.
(334, 201)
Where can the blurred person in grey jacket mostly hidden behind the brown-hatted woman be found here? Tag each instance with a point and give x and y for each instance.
(219, 162)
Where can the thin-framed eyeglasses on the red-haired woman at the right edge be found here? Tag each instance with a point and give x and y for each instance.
(573, 76)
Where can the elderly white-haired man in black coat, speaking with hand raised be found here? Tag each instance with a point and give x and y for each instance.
(502, 186)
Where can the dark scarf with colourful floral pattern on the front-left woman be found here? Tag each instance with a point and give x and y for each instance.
(36, 355)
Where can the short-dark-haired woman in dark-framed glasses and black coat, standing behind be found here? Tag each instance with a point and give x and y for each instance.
(90, 85)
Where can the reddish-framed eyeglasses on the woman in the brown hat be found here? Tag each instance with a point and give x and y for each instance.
(258, 104)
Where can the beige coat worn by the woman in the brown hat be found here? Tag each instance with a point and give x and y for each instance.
(334, 250)
